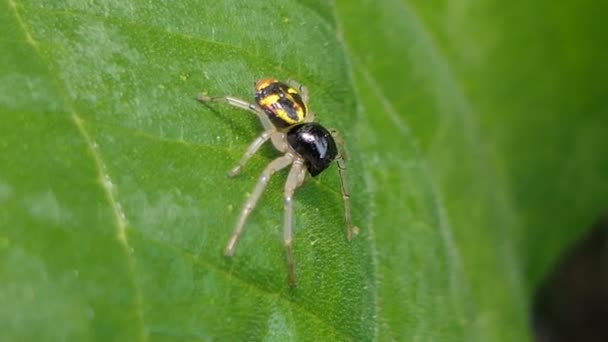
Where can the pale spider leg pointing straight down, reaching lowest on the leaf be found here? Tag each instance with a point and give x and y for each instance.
(294, 180)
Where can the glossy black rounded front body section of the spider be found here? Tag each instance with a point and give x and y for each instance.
(314, 144)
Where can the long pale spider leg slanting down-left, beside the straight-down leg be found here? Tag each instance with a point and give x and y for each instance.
(273, 167)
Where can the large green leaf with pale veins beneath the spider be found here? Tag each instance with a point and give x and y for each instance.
(476, 140)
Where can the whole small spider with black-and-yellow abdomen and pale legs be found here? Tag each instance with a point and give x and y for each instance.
(306, 145)
